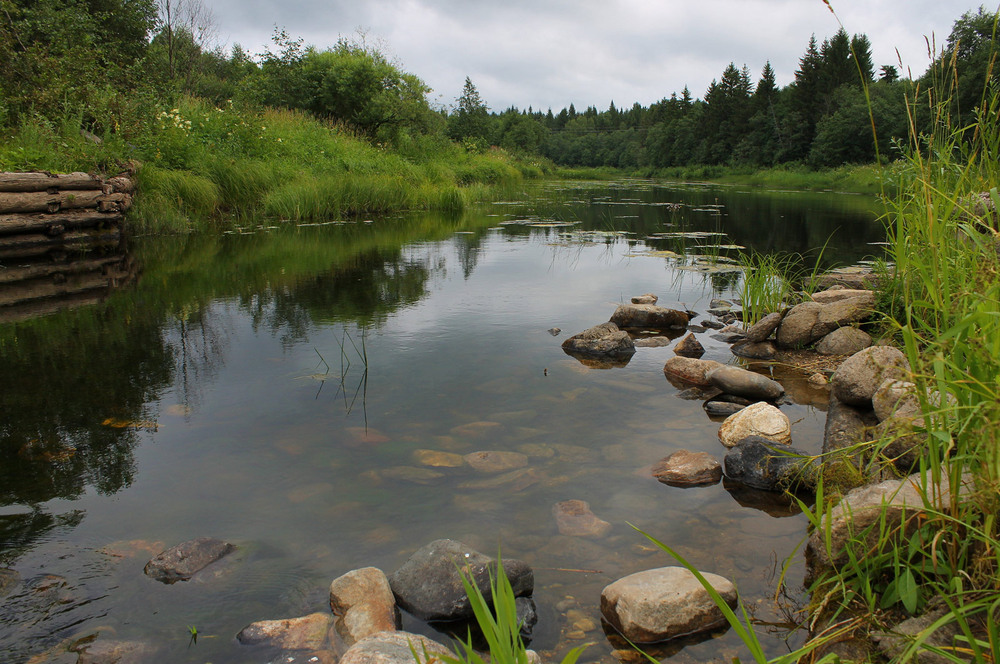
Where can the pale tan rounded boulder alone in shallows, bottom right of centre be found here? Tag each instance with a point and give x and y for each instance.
(664, 603)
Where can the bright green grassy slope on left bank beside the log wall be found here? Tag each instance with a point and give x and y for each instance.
(203, 167)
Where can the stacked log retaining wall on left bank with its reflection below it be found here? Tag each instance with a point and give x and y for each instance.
(60, 240)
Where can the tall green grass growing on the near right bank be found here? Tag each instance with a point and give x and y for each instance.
(941, 299)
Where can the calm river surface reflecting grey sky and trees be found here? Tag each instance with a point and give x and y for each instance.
(277, 388)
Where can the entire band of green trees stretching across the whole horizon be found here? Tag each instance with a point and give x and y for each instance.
(115, 66)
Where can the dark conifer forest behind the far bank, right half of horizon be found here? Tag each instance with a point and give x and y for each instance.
(823, 118)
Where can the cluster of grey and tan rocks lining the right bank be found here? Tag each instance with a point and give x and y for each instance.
(871, 396)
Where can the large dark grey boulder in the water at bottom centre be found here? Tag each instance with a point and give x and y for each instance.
(429, 584)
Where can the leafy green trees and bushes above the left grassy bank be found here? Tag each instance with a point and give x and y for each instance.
(114, 65)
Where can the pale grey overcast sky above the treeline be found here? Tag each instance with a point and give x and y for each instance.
(550, 53)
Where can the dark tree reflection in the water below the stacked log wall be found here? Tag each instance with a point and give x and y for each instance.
(64, 377)
